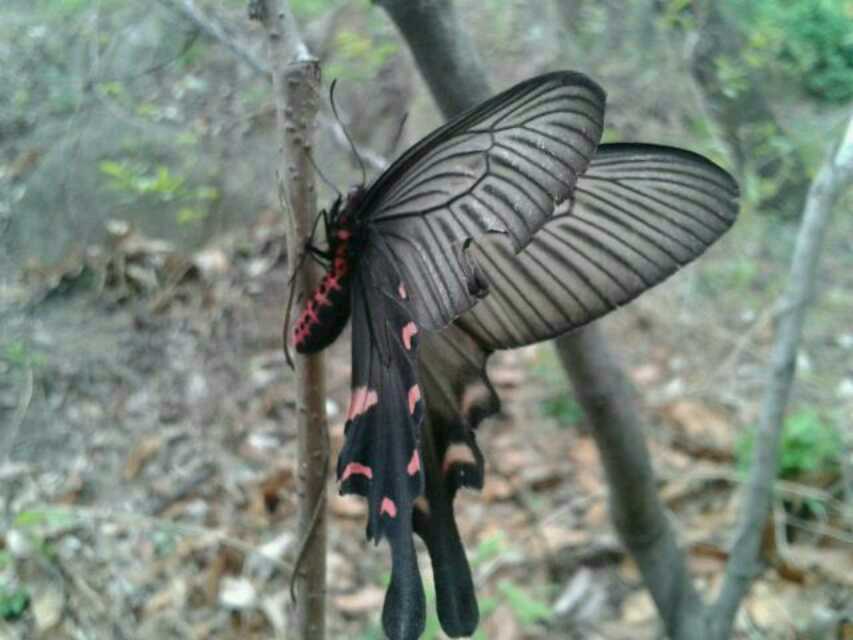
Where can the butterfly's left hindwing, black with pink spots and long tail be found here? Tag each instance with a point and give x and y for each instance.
(380, 459)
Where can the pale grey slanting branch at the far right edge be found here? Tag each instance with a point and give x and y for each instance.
(834, 177)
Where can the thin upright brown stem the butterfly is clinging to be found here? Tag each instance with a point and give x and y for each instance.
(296, 79)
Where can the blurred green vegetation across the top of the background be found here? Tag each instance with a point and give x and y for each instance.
(123, 110)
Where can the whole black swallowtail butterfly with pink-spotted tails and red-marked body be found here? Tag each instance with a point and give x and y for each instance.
(439, 230)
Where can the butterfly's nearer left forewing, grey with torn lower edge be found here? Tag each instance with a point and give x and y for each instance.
(500, 168)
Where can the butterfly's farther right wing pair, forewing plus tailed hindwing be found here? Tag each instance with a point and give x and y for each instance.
(638, 214)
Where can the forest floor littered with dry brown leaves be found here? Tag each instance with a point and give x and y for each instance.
(148, 446)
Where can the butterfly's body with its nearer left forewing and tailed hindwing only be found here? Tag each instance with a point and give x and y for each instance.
(401, 262)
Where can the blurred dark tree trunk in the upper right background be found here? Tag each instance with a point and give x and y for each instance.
(735, 101)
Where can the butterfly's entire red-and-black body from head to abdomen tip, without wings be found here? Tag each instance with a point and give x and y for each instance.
(328, 307)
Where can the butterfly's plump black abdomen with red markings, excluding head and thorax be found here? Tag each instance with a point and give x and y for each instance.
(328, 308)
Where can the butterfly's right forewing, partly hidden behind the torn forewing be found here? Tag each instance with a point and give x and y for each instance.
(639, 213)
